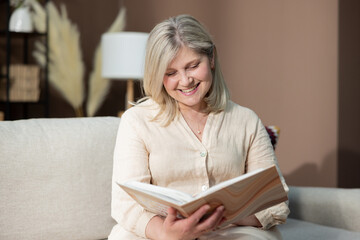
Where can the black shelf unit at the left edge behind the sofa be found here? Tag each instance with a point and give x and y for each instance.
(8, 105)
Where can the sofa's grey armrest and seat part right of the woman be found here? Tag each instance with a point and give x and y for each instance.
(323, 213)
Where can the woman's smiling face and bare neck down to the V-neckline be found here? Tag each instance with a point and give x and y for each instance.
(187, 80)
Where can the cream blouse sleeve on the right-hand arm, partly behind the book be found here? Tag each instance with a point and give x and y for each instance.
(261, 154)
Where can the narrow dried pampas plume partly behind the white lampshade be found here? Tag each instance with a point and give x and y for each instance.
(98, 86)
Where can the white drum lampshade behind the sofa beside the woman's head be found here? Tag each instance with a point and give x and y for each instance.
(123, 55)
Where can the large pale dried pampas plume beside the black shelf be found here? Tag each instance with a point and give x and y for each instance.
(66, 68)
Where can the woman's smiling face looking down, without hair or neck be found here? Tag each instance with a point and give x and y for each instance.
(188, 79)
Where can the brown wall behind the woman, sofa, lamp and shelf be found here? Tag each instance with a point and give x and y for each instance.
(294, 62)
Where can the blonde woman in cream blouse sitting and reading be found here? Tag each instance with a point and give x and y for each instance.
(187, 135)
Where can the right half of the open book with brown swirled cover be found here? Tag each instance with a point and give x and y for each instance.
(242, 196)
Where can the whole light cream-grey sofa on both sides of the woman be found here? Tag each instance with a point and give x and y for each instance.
(55, 183)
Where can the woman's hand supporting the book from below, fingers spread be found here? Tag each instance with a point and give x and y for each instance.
(173, 228)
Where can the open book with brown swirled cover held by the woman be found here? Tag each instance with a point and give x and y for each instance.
(241, 196)
